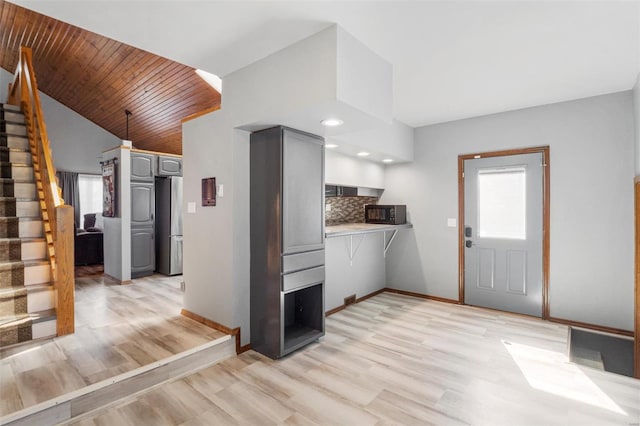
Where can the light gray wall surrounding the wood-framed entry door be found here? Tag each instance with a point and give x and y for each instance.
(592, 169)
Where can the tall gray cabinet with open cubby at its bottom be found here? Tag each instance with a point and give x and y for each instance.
(287, 240)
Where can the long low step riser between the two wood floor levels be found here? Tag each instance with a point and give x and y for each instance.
(103, 393)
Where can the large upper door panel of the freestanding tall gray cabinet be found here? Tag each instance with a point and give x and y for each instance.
(302, 197)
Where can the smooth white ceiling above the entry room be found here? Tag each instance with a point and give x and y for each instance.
(451, 59)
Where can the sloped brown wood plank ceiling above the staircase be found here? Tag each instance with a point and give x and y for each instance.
(99, 78)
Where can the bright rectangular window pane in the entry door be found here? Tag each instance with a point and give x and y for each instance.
(502, 203)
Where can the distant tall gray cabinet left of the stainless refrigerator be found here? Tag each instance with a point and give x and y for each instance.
(143, 207)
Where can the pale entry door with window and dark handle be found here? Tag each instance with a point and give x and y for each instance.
(503, 234)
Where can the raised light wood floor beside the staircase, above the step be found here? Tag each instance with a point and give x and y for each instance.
(118, 329)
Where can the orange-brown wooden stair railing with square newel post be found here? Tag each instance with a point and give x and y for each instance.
(57, 217)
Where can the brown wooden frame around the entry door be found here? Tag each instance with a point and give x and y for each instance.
(544, 150)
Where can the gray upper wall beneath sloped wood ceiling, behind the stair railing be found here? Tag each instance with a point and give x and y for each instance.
(76, 143)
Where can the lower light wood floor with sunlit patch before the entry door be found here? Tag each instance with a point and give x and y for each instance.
(398, 360)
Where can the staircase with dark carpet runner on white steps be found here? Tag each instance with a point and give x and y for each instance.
(27, 298)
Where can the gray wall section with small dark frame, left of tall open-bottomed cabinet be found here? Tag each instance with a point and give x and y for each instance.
(216, 239)
